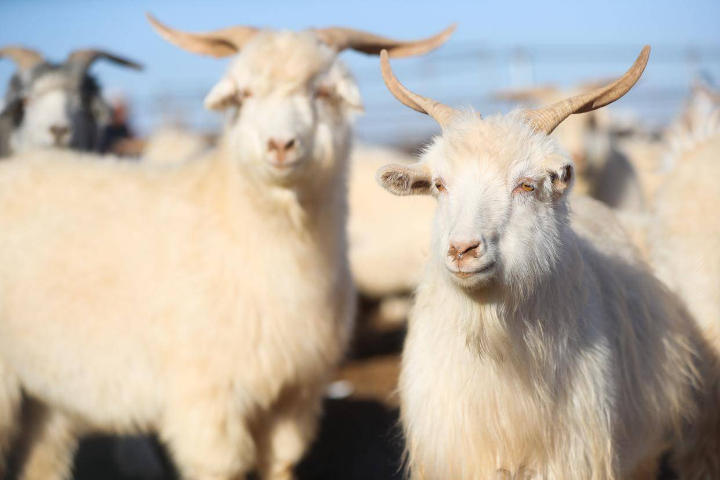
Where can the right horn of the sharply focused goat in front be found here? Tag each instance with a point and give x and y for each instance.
(548, 118)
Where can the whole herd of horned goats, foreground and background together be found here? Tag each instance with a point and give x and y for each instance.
(208, 297)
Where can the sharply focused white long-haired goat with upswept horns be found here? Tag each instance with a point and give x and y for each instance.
(538, 346)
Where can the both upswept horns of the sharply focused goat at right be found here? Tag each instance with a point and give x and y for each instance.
(544, 119)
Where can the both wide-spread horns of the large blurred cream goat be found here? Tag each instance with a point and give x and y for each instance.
(229, 41)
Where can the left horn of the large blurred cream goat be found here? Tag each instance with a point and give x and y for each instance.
(219, 43)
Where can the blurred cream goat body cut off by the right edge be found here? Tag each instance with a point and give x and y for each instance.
(686, 233)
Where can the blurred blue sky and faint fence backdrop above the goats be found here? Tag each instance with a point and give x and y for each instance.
(498, 46)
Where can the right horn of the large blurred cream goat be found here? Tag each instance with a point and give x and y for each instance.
(343, 38)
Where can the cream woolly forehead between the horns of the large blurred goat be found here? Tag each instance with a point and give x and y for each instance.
(281, 61)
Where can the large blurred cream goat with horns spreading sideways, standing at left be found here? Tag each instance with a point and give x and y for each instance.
(207, 301)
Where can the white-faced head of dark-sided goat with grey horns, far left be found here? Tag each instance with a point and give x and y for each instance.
(54, 105)
